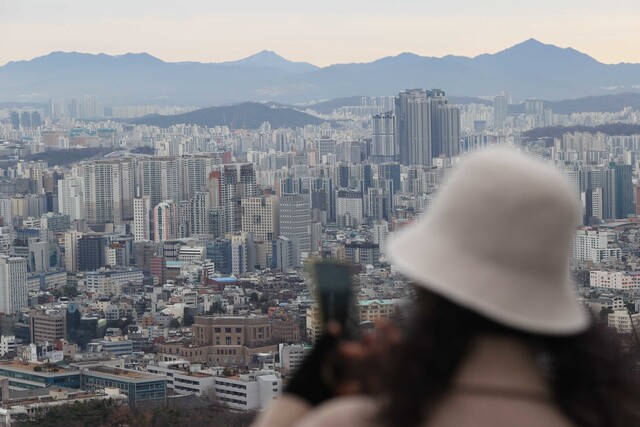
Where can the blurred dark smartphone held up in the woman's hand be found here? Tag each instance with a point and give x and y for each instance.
(334, 289)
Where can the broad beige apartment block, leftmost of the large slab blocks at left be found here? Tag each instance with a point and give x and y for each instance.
(108, 189)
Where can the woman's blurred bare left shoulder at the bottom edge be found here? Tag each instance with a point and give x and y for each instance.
(357, 411)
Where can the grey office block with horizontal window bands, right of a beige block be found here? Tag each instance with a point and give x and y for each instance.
(295, 219)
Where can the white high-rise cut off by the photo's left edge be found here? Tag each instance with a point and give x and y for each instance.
(13, 284)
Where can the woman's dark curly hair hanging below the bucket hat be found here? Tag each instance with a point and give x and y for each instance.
(593, 380)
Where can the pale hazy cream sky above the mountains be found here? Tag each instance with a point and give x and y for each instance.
(321, 32)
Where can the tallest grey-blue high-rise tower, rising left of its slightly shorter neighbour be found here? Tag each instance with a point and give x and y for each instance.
(413, 128)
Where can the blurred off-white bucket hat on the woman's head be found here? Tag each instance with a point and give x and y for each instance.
(498, 242)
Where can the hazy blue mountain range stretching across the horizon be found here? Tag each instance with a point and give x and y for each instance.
(528, 69)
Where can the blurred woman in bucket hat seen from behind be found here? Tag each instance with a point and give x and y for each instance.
(498, 337)
